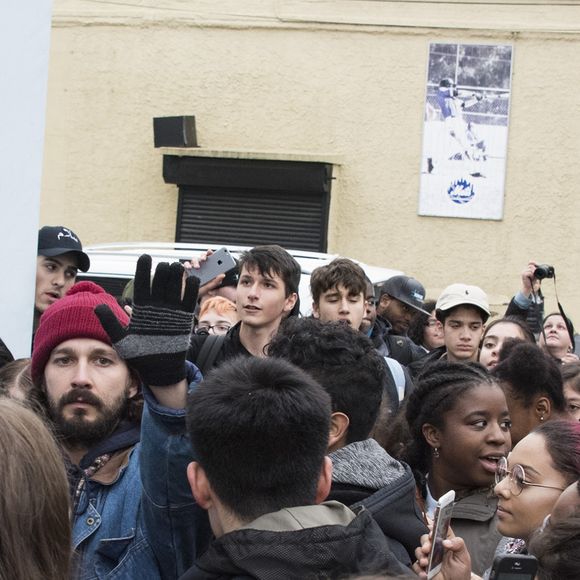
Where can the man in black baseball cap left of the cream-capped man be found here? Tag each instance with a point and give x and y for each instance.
(401, 297)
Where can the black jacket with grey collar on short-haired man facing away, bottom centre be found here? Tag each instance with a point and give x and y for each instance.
(294, 551)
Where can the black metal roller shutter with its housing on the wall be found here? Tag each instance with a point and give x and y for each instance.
(248, 202)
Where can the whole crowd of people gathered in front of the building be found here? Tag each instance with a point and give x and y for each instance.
(212, 433)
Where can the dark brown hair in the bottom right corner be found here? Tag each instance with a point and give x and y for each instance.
(557, 549)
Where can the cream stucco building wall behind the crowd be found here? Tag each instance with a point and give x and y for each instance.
(335, 78)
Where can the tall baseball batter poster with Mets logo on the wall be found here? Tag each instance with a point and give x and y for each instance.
(465, 130)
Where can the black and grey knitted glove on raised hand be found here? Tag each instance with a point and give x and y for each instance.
(156, 341)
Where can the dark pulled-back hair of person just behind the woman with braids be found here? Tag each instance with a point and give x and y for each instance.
(531, 373)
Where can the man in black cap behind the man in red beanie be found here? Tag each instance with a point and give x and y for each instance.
(60, 256)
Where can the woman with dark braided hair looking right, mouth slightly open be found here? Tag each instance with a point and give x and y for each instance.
(459, 428)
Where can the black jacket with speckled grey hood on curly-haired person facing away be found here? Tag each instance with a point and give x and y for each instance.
(364, 474)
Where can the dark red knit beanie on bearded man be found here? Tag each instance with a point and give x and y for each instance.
(73, 316)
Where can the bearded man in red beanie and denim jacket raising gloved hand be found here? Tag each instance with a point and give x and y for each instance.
(92, 368)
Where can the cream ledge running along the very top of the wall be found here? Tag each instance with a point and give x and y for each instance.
(513, 16)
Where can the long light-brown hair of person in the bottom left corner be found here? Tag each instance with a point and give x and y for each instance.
(35, 534)
